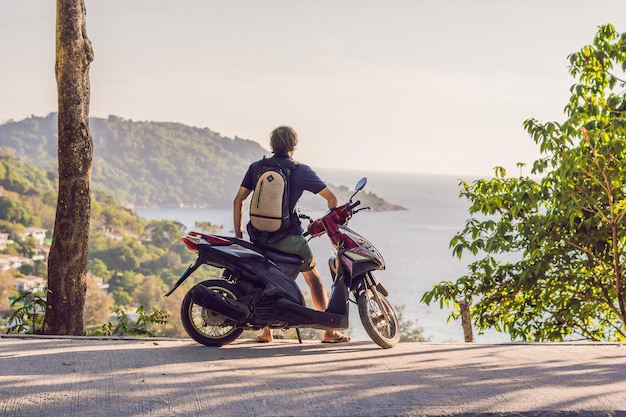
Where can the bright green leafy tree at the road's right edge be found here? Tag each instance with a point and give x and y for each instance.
(549, 252)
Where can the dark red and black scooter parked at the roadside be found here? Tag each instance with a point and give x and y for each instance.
(257, 287)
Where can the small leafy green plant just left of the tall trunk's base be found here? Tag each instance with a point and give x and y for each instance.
(29, 314)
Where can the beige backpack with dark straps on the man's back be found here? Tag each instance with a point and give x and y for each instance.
(269, 206)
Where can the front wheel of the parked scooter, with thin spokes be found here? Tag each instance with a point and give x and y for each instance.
(378, 318)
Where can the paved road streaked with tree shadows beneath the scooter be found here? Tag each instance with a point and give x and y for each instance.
(177, 377)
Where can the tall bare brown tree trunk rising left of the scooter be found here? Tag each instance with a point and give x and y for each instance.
(67, 262)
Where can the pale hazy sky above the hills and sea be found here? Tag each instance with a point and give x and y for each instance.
(439, 87)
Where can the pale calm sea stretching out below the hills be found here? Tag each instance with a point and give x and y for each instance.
(414, 242)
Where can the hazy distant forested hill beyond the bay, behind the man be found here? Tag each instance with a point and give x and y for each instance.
(152, 164)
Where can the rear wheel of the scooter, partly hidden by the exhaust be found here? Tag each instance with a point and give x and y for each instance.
(205, 326)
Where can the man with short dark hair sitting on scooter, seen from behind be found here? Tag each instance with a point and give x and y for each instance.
(283, 141)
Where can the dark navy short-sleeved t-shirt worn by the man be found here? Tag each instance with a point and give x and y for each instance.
(302, 179)
